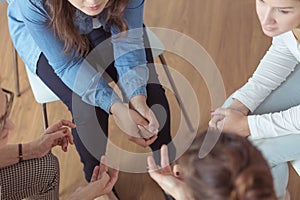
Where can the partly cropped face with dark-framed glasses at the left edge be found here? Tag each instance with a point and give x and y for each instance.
(8, 126)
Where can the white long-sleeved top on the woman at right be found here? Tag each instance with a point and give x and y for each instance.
(280, 60)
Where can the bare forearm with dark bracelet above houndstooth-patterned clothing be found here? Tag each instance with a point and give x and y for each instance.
(10, 154)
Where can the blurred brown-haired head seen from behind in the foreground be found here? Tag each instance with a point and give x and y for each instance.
(233, 170)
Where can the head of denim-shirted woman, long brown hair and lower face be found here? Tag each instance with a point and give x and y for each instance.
(62, 14)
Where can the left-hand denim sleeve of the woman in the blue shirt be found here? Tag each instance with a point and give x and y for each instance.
(74, 71)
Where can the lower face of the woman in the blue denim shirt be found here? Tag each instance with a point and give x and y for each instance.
(89, 7)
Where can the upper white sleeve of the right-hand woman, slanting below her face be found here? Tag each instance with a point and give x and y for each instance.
(272, 71)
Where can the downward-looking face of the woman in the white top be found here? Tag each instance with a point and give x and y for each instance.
(278, 16)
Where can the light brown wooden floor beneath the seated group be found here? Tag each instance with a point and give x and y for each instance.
(228, 30)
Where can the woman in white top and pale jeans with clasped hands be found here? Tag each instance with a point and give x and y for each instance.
(267, 107)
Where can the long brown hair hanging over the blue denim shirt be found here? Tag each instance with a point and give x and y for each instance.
(62, 21)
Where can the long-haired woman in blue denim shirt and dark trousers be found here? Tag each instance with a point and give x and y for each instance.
(65, 42)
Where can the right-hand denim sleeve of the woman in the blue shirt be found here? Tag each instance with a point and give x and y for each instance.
(129, 52)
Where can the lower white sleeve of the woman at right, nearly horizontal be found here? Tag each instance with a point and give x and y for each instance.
(275, 124)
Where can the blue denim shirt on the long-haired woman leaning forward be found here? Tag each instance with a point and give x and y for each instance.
(30, 32)
